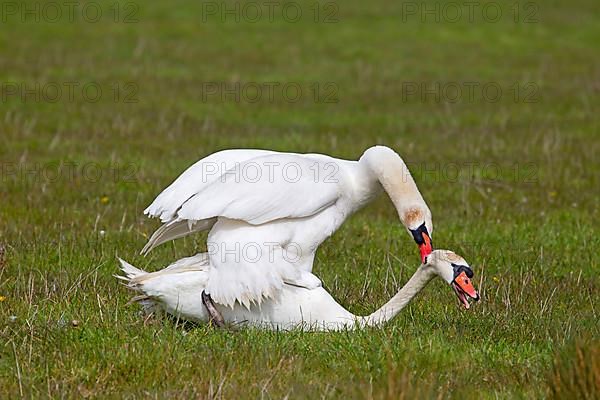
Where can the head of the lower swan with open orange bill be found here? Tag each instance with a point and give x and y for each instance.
(456, 272)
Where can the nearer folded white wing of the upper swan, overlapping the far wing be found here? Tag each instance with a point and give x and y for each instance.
(267, 188)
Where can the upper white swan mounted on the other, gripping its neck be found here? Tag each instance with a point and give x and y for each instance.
(281, 207)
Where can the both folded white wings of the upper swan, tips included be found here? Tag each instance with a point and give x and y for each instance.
(255, 186)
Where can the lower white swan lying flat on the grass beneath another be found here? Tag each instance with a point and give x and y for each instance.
(177, 288)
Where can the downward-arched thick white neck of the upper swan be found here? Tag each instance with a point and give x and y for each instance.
(393, 174)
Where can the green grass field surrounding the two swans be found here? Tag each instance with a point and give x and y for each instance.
(512, 181)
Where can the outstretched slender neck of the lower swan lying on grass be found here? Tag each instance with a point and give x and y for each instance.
(390, 309)
